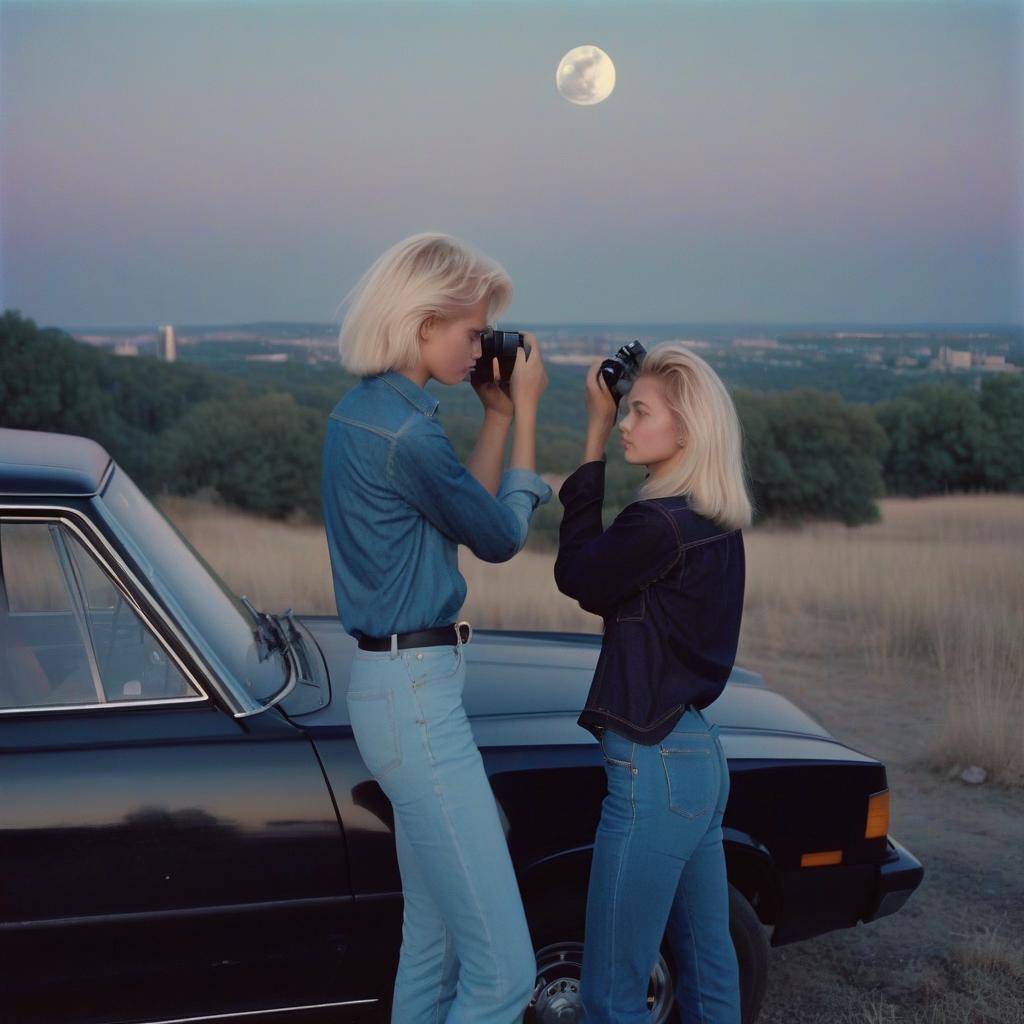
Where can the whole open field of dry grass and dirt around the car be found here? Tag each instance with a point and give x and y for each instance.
(906, 639)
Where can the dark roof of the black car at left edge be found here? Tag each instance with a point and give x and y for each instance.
(41, 464)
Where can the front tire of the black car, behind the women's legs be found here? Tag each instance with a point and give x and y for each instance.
(557, 924)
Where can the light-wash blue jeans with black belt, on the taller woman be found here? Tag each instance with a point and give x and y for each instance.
(466, 953)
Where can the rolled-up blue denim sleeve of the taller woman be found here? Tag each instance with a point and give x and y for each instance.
(425, 471)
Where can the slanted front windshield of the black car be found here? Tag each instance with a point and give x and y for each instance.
(219, 623)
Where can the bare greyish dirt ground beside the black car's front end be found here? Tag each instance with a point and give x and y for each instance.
(956, 951)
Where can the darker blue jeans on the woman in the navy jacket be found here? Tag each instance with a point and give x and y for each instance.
(660, 872)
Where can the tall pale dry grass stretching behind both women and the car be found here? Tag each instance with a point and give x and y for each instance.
(938, 585)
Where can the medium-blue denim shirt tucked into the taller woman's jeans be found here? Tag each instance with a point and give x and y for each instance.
(398, 503)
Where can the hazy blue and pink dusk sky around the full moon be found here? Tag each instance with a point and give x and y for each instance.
(827, 161)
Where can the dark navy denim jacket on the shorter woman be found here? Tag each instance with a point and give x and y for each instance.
(669, 584)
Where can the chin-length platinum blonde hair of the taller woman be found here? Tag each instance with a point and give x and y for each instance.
(426, 275)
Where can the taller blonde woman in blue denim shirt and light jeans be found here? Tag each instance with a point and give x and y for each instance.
(397, 504)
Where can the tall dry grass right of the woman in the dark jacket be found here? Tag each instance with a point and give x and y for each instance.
(937, 585)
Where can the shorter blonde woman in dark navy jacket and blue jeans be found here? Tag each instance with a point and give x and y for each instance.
(668, 579)
